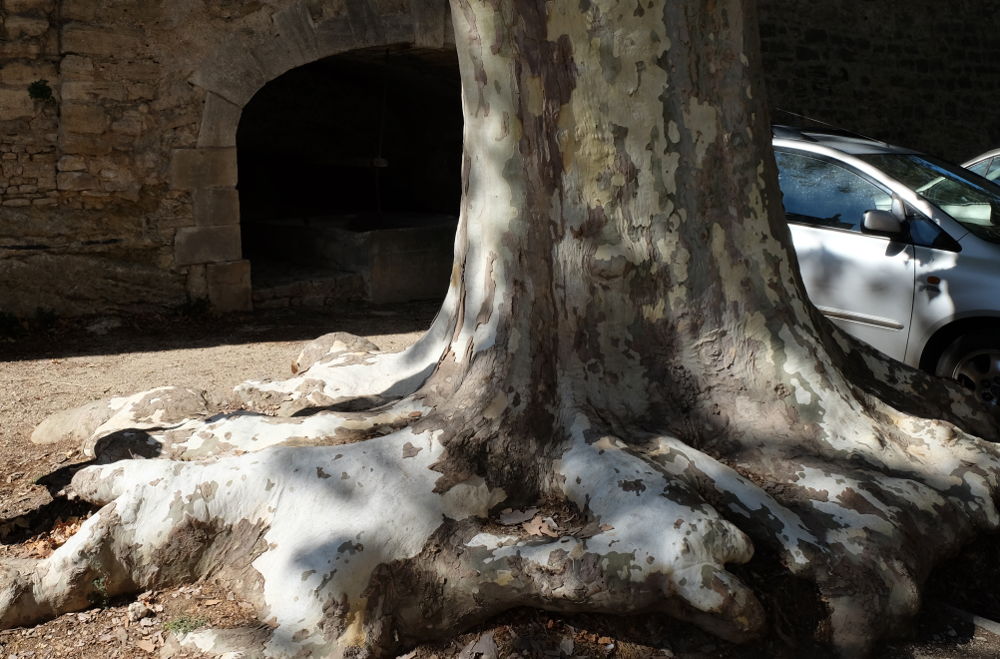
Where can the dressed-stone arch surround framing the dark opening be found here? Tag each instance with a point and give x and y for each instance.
(302, 33)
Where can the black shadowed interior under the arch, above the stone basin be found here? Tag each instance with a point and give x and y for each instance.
(368, 131)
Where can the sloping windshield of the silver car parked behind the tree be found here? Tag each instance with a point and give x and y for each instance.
(970, 199)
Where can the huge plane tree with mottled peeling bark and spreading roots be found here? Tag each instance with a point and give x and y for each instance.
(625, 335)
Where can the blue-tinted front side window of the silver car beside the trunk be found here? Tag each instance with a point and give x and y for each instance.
(819, 192)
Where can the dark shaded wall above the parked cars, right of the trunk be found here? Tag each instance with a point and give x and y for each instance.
(920, 73)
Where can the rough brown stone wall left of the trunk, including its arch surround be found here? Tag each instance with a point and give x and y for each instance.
(118, 192)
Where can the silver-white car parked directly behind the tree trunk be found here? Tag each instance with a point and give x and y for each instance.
(898, 248)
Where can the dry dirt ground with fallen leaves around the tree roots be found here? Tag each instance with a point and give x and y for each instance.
(54, 365)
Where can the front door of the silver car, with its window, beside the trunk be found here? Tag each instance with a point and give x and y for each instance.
(862, 282)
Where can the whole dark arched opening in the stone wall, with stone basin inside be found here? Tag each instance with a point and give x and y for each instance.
(349, 178)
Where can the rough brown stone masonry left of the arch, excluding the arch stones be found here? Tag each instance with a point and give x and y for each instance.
(92, 102)
